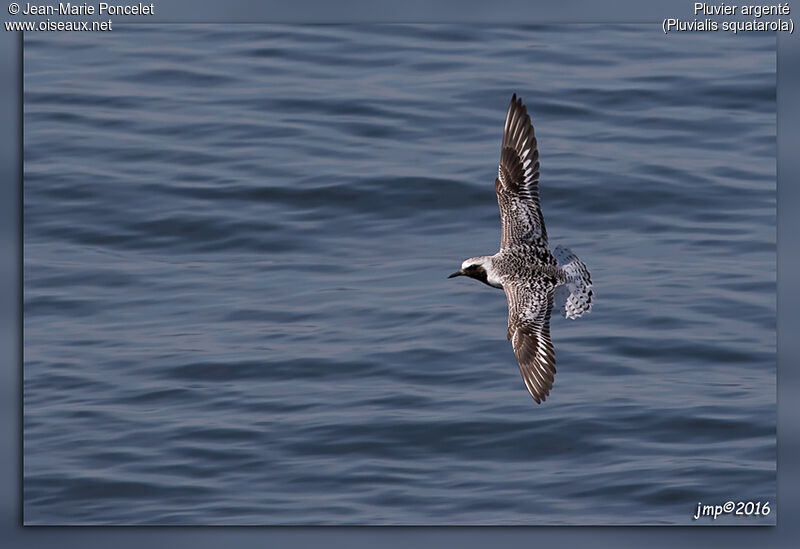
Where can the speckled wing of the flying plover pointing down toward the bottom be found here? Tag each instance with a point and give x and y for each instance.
(529, 332)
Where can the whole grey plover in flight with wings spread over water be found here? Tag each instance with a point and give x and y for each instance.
(533, 277)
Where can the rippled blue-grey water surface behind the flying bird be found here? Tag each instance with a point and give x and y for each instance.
(236, 243)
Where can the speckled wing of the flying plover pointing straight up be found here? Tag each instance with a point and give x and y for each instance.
(517, 183)
